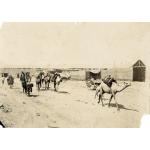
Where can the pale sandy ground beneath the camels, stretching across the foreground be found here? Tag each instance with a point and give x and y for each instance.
(73, 106)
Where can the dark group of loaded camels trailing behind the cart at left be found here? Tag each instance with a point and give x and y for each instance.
(42, 81)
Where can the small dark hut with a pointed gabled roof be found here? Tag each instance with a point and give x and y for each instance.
(139, 70)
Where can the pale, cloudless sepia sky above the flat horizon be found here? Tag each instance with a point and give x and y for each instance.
(74, 44)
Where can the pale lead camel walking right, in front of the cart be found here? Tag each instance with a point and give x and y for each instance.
(113, 90)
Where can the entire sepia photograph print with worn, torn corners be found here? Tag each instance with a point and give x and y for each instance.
(74, 74)
